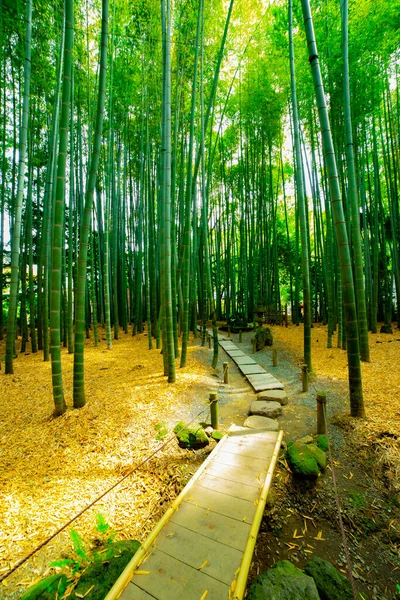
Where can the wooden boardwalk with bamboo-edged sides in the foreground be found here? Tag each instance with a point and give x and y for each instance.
(202, 547)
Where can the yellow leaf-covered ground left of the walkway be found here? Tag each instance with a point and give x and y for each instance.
(50, 469)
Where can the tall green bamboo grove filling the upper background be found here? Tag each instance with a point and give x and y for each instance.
(169, 164)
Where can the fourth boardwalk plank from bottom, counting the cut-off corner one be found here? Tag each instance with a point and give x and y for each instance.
(222, 529)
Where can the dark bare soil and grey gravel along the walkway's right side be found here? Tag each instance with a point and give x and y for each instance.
(302, 517)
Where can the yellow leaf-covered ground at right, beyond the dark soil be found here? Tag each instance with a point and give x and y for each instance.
(381, 387)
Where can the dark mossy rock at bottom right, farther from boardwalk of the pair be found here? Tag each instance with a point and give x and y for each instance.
(331, 584)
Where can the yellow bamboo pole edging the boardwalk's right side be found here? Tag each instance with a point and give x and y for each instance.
(251, 541)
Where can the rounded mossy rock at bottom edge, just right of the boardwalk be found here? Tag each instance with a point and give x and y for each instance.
(283, 582)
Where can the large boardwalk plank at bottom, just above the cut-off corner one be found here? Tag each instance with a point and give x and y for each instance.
(172, 579)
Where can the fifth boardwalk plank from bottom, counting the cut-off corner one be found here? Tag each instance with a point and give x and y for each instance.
(217, 501)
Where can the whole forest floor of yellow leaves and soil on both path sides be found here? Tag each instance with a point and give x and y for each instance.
(50, 469)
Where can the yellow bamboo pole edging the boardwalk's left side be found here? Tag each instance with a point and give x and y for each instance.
(129, 571)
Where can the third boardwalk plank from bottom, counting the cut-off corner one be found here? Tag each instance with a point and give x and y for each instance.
(220, 561)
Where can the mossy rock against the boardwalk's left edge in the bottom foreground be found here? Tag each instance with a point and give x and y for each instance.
(101, 575)
